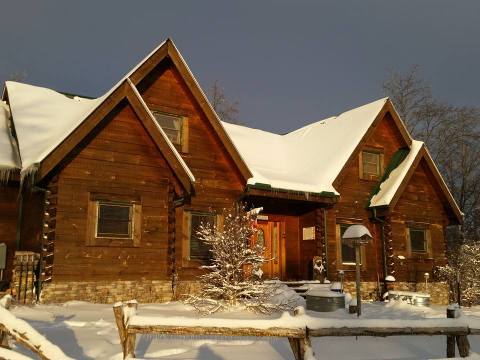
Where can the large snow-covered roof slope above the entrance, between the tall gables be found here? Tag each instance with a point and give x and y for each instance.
(308, 159)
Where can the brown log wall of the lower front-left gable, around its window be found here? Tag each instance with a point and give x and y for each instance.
(120, 159)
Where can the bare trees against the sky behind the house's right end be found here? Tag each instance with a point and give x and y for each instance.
(451, 133)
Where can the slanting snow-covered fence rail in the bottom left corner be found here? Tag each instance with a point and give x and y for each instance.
(26, 335)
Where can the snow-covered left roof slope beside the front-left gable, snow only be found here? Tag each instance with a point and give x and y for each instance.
(43, 118)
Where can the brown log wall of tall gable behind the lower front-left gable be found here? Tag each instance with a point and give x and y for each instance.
(218, 183)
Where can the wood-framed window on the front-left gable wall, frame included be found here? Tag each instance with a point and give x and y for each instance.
(113, 221)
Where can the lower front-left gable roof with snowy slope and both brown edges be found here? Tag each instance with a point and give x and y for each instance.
(46, 121)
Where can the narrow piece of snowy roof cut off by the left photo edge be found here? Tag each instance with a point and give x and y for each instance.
(8, 155)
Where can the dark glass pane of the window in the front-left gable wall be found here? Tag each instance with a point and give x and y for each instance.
(114, 220)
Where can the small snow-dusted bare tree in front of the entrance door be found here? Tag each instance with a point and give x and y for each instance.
(232, 277)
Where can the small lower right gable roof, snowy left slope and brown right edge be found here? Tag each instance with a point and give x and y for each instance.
(392, 187)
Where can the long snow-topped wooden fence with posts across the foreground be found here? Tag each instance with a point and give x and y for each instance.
(298, 329)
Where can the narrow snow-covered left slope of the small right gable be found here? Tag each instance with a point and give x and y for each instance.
(389, 187)
